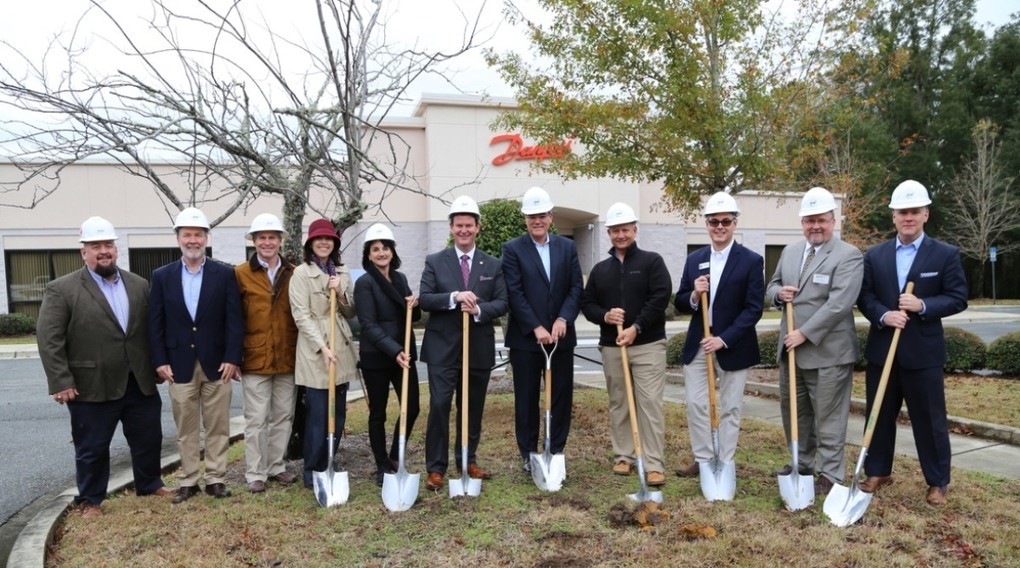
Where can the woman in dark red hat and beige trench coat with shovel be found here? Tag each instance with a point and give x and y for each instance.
(311, 286)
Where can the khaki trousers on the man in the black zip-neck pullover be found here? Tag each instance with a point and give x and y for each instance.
(648, 372)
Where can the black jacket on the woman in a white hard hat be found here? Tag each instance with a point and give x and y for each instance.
(382, 314)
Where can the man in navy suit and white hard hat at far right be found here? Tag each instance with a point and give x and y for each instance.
(916, 377)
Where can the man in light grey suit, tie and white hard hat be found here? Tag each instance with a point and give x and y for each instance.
(822, 276)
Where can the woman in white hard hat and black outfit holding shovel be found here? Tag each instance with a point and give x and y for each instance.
(383, 297)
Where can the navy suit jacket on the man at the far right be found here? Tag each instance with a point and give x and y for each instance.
(939, 281)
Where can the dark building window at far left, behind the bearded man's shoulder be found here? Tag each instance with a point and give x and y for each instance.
(29, 272)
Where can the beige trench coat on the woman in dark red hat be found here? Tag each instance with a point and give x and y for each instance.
(311, 306)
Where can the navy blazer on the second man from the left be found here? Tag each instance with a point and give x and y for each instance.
(217, 335)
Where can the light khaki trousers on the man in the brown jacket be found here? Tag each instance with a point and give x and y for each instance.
(269, 419)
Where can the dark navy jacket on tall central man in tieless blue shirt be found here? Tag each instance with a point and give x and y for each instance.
(535, 299)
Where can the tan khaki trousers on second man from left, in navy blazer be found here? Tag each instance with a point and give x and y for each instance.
(196, 404)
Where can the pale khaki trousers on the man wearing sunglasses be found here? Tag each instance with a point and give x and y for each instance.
(730, 399)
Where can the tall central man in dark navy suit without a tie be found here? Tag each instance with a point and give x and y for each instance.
(544, 283)
